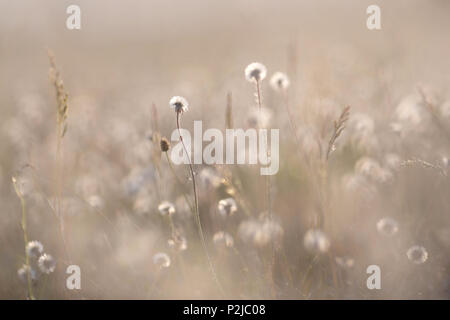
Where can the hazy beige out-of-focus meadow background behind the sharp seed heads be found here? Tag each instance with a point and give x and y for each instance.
(383, 194)
